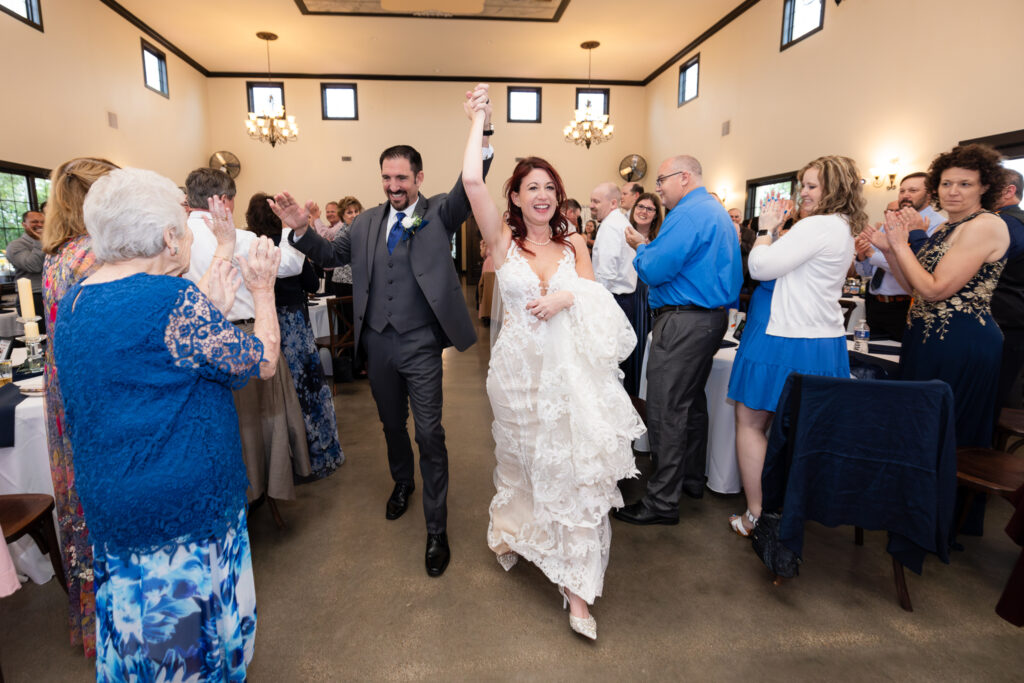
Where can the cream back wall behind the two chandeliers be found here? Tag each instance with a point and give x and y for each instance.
(430, 117)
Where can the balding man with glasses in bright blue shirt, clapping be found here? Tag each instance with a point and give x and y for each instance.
(694, 273)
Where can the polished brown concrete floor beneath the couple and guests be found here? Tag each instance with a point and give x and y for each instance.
(343, 593)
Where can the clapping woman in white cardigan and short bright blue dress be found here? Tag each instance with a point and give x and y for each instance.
(796, 323)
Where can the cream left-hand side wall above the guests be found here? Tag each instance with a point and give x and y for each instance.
(61, 84)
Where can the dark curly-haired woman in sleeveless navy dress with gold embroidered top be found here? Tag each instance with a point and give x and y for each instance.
(952, 335)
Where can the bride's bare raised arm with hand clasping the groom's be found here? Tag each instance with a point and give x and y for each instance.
(488, 218)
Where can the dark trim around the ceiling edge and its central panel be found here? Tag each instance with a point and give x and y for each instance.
(175, 50)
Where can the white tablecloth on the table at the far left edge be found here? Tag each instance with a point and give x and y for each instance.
(25, 468)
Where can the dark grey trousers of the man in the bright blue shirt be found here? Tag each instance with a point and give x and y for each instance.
(682, 352)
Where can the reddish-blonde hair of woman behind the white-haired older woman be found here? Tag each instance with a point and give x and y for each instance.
(69, 185)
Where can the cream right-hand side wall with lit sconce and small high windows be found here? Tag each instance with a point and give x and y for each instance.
(882, 80)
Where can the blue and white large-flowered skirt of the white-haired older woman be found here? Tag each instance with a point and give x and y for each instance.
(185, 613)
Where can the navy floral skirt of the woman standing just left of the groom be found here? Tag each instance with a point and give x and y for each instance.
(315, 396)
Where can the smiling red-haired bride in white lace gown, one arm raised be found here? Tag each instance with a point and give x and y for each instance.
(564, 424)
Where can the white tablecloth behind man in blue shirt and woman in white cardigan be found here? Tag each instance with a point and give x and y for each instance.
(722, 469)
